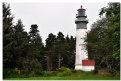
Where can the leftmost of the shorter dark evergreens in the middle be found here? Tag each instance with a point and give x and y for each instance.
(51, 51)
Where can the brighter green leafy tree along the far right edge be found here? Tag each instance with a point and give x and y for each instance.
(113, 34)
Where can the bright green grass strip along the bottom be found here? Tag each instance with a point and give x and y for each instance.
(79, 75)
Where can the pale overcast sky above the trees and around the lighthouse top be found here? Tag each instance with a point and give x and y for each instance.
(54, 17)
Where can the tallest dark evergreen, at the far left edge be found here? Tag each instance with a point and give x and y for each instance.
(7, 36)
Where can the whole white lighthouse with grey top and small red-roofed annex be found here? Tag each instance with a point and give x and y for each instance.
(81, 61)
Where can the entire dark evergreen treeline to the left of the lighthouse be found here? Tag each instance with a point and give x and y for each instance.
(25, 52)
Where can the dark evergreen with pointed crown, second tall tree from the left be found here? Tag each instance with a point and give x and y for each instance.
(20, 42)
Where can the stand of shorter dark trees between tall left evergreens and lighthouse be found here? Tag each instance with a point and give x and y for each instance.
(60, 51)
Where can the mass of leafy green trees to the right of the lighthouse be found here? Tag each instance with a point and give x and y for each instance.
(103, 41)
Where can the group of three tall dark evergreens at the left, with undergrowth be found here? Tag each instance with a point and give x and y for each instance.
(18, 50)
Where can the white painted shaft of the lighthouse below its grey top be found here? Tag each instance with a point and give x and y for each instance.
(81, 52)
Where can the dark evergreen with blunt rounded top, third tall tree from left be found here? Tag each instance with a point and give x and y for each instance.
(35, 48)
